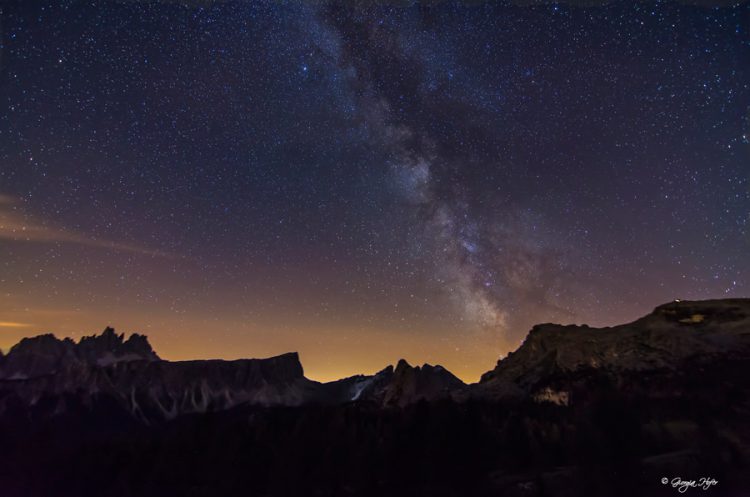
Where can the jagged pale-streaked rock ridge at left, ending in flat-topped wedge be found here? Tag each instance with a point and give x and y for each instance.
(51, 372)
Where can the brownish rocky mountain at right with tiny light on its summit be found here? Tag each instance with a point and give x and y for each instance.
(673, 336)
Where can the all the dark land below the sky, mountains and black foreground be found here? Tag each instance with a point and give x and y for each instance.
(574, 411)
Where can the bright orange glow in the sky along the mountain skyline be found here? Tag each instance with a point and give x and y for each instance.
(326, 353)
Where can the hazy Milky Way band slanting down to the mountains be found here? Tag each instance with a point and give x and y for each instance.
(491, 265)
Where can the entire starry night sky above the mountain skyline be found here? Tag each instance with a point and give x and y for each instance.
(361, 184)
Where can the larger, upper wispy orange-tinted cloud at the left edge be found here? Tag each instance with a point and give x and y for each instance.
(17, 225)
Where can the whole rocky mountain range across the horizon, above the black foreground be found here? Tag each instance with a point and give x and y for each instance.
(555, 363)
